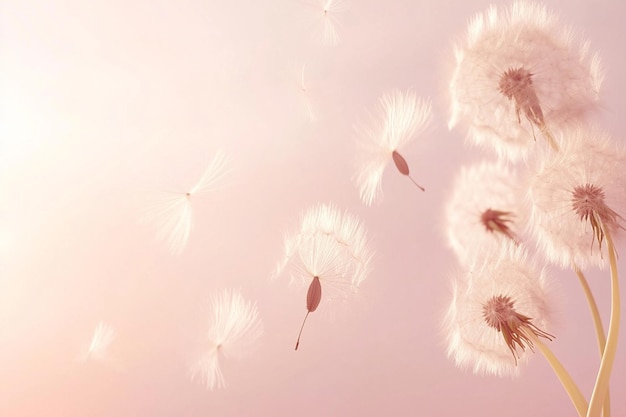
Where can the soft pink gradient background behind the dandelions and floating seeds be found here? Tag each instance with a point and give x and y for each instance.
(107, 102)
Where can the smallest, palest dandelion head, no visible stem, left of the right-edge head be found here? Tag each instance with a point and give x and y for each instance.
(485, 210)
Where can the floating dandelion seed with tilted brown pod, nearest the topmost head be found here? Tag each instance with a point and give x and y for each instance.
(401, 118)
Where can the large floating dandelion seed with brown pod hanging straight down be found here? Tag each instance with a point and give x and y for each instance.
(330, 249)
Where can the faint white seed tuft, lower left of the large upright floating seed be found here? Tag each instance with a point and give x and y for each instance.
(234, 331)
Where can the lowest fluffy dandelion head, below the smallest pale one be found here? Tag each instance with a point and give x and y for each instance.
(495, 305)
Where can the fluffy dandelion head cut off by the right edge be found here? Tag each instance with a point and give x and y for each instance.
(577, 195)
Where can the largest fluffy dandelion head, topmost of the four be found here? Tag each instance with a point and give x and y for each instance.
(518, 74)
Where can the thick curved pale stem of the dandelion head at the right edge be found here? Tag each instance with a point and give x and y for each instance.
(601, 387)
